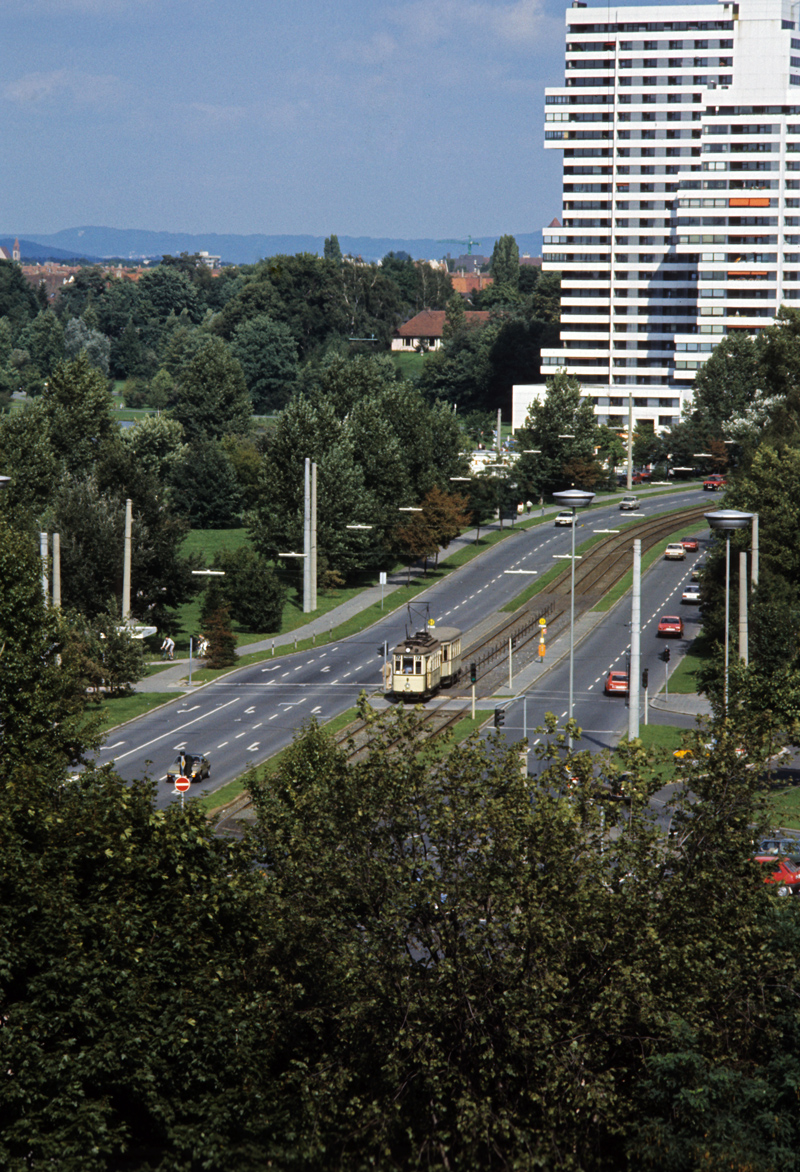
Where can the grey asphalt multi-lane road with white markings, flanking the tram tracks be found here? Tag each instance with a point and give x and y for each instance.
(251, 714)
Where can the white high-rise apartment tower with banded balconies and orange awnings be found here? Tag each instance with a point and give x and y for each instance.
(681, 135)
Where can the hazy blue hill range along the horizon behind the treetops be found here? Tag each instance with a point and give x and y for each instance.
(101, 243)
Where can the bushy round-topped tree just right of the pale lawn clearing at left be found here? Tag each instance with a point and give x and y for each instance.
(211, 394)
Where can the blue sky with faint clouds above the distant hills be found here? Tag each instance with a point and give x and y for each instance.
(409, 119)
